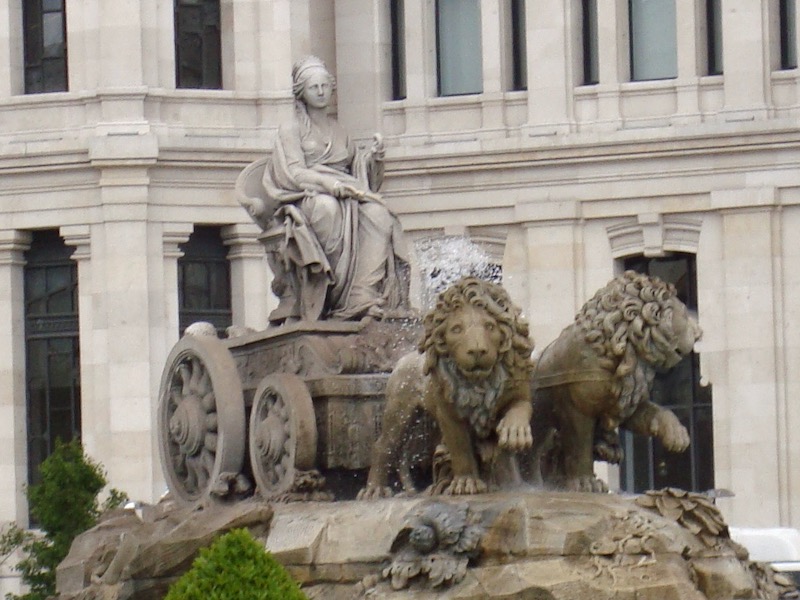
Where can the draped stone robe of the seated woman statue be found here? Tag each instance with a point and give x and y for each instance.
(348, 255)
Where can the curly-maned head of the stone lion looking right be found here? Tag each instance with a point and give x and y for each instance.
(636, 325)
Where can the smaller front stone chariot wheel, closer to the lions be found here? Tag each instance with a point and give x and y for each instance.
(283, 433)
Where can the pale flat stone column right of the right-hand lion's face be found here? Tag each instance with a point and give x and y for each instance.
(744, 358)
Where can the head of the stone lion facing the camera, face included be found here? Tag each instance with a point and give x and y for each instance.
(477, 326)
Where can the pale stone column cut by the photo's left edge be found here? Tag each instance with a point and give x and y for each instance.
(13, 429)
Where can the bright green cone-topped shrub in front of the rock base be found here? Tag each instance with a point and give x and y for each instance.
(235, 567)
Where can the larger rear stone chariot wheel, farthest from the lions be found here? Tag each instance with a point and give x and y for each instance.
(201, 419)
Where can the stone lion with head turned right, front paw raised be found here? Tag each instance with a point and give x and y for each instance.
(597, 376)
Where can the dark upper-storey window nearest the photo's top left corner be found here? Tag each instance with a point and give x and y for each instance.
(45, 41)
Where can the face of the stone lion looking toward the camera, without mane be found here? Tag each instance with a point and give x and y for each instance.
(473, 341)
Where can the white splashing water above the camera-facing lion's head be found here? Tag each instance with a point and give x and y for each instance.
(445, 260)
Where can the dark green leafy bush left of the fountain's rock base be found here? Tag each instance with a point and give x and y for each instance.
(63, 505)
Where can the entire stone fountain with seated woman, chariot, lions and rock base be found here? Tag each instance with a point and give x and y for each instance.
(379, 454)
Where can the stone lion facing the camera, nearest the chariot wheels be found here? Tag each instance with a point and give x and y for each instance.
(471, 375)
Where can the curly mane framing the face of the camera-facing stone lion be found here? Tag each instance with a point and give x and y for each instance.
(477, 401)
